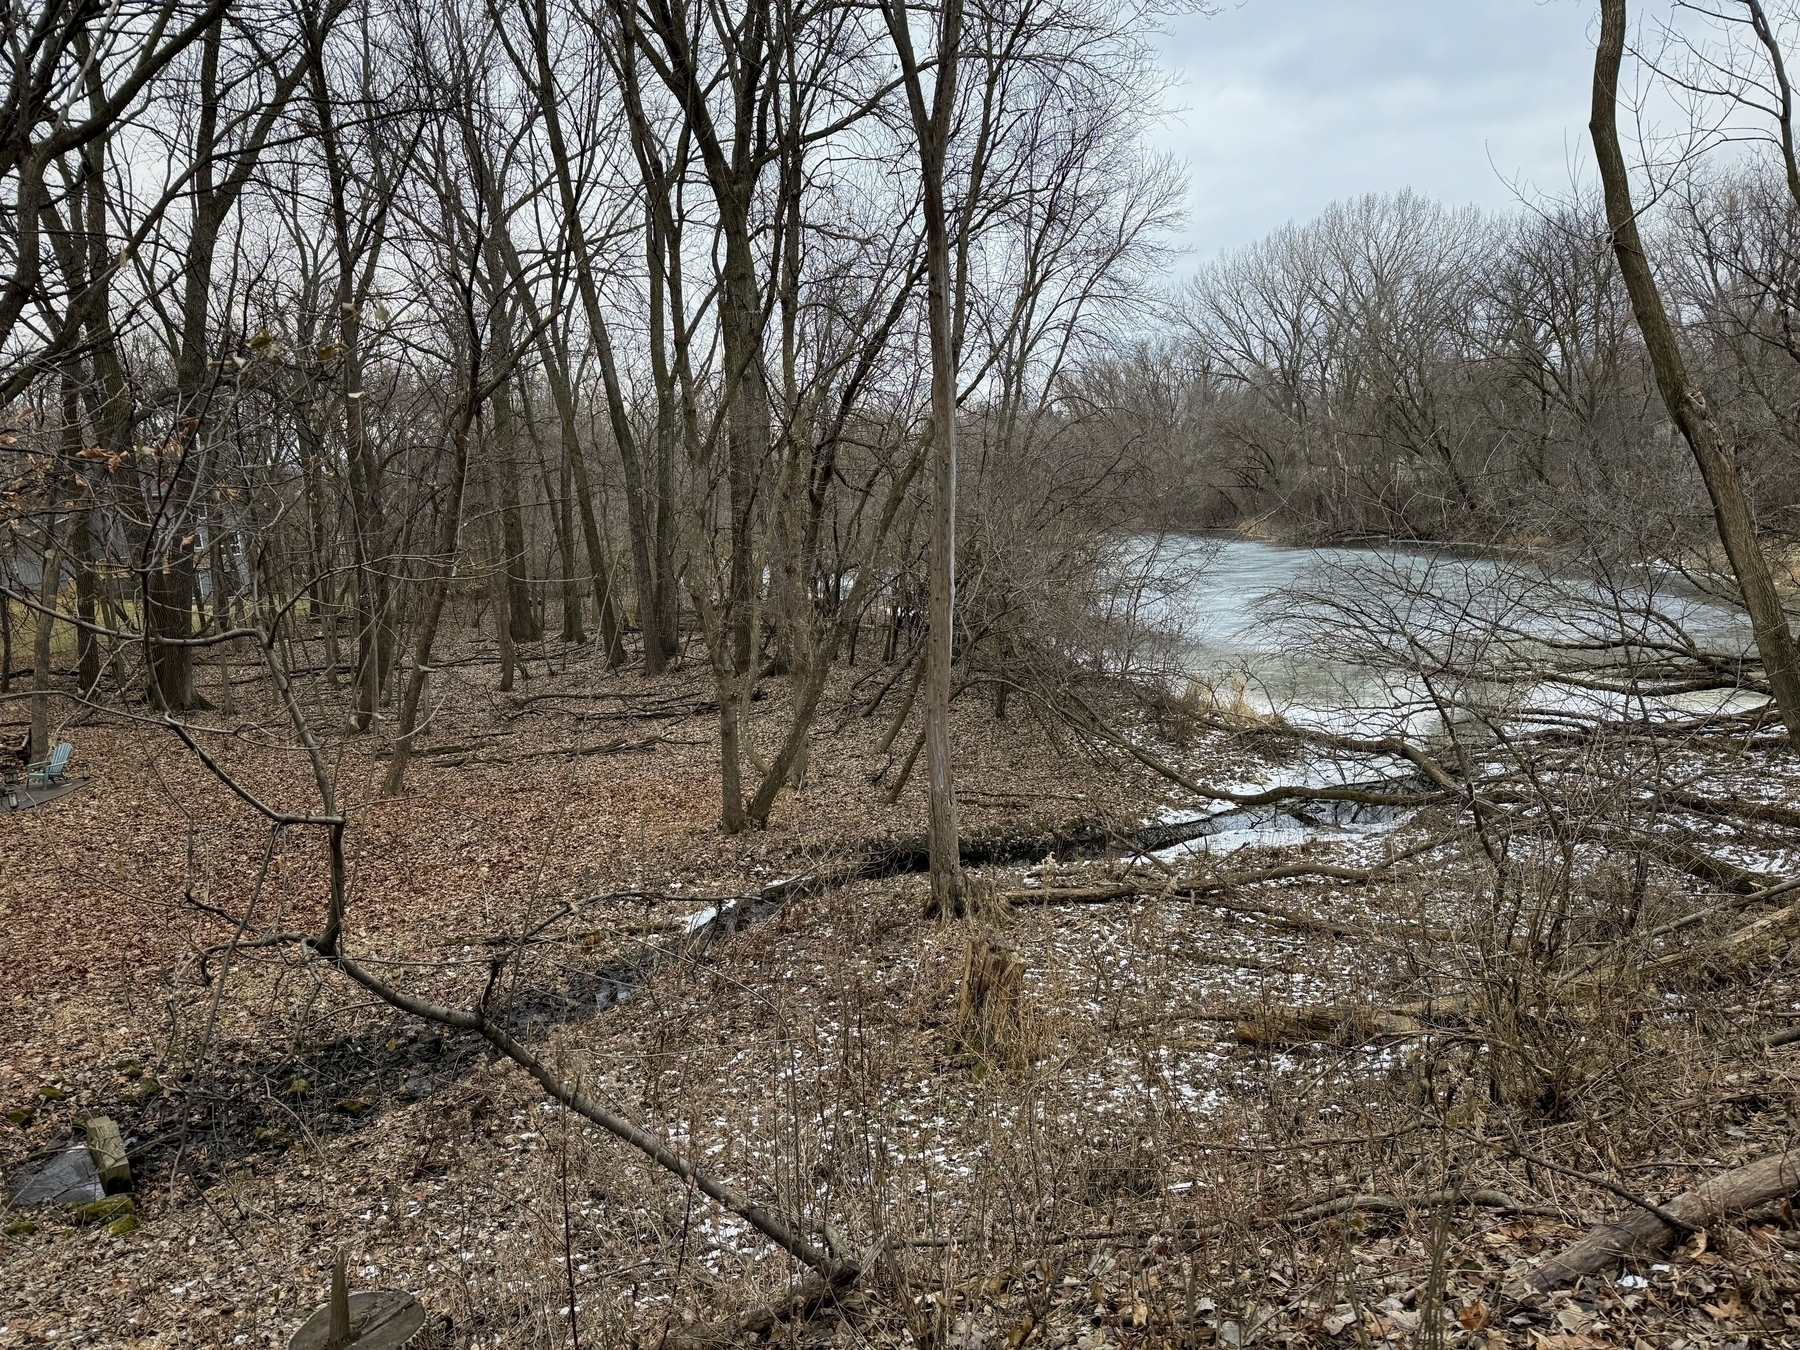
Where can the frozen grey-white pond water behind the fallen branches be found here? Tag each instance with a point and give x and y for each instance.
(1381, 640)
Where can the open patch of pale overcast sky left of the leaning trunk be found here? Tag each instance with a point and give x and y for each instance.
(1286, 105)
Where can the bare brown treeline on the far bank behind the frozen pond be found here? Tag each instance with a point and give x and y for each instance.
(1408, 370)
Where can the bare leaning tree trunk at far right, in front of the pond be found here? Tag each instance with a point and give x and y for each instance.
(1687, 408)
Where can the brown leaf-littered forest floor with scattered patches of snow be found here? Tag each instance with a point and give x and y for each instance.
(1126, 1169)
